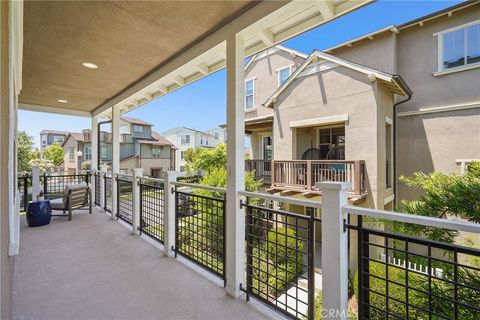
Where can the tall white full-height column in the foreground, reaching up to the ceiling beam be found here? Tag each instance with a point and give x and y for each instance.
(235, 218)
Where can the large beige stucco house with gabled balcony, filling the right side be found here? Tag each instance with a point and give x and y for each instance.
(331, 116)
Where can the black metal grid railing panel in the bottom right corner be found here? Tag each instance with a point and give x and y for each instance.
(406, 277)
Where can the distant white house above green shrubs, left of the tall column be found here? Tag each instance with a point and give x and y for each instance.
(184, 138)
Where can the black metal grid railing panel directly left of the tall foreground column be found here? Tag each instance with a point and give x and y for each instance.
(200, 230)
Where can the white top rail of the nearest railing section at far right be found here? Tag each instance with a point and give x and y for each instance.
(457, 225)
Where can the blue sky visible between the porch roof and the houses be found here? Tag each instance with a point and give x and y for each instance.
(201, 105)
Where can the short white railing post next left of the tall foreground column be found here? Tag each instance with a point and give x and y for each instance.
(169, 221)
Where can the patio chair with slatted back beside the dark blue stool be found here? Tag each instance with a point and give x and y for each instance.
(75, 197)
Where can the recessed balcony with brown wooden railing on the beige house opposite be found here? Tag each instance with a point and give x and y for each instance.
(320, 156)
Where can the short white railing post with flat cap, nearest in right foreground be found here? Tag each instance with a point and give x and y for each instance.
(335, 249)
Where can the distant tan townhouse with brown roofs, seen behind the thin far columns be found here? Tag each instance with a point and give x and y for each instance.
(140, 147)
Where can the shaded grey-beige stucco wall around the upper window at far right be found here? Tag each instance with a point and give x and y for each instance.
(428, 142)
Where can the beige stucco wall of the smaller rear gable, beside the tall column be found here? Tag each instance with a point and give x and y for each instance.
(264, 71)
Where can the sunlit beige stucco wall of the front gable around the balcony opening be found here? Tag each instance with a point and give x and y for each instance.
(338, 91)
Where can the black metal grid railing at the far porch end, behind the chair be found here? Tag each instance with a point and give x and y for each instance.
(54, 185)
